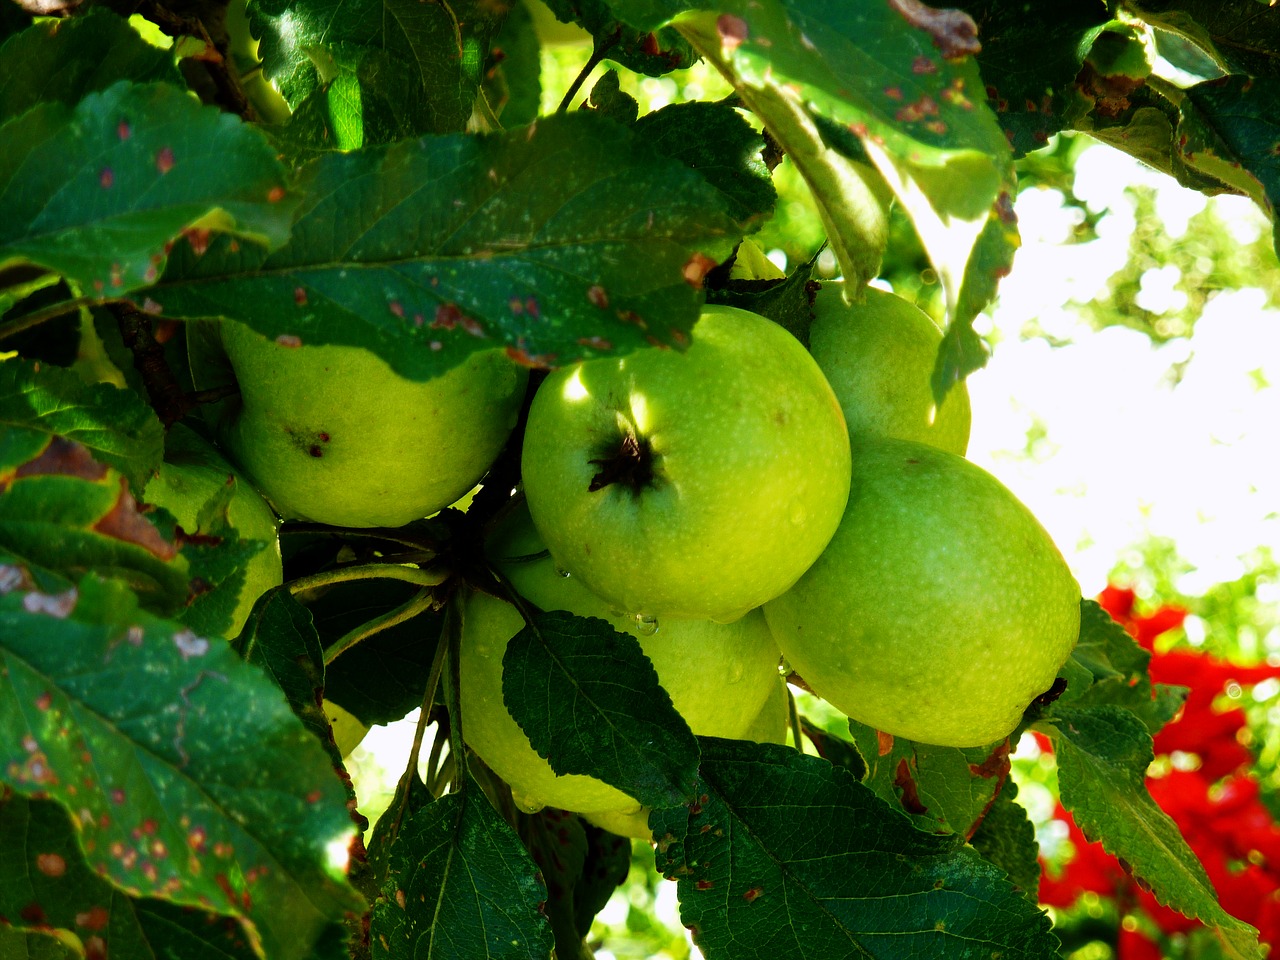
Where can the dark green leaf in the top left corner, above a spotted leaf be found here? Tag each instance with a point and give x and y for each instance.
(65, 61)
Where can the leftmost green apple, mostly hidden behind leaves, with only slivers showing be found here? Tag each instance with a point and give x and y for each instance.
(191, 476)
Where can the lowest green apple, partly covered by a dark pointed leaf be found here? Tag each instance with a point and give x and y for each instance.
(719, 675)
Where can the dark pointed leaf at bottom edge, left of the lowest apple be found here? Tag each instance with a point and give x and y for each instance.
(461, 888)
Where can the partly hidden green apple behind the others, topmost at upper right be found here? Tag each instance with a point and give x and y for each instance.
(879, 355)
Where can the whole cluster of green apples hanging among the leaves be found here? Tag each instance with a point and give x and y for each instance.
(740, 505)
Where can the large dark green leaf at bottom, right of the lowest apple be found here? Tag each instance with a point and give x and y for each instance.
(787, 856)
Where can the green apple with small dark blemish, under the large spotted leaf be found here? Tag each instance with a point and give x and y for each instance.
(333, 435)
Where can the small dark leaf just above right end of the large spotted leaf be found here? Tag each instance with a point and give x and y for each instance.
(721, 145)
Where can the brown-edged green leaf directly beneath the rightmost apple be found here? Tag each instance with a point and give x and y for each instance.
(945, 789)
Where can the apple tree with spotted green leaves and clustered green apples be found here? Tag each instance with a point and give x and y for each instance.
(281, 285)
